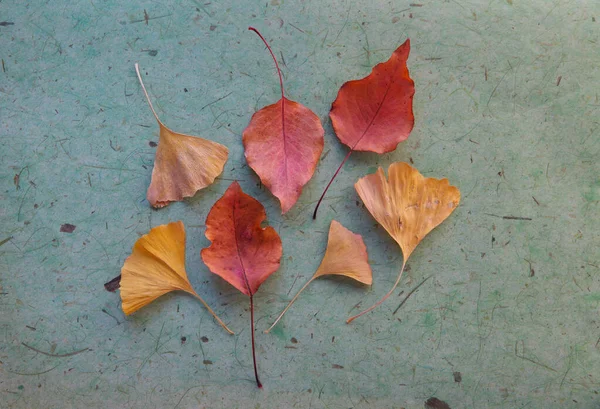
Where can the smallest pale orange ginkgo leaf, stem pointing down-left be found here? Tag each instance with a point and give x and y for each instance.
(346, 255)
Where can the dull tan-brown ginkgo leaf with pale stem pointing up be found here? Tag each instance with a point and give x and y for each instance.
(183, 163)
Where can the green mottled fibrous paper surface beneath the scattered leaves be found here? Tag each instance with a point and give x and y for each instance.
(506, 107)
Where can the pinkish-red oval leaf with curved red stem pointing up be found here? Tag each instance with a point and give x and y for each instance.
(282, 144)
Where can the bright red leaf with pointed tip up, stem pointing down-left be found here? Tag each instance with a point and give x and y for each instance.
(374, 114)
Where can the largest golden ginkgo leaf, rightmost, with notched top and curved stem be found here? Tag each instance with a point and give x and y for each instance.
(408, 205)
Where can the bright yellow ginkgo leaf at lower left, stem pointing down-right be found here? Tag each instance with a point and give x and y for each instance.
(155, 267)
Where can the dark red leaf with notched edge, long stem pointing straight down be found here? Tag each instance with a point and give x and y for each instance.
(241, 252)
